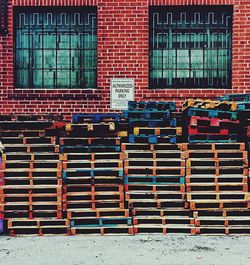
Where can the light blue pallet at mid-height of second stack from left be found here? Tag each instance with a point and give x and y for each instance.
(93, 172)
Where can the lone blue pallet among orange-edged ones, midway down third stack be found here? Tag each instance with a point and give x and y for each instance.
(153, 180)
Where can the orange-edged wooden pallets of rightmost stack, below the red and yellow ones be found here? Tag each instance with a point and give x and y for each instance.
(216, 187)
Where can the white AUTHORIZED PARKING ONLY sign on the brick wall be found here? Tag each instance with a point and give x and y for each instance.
(122, 91)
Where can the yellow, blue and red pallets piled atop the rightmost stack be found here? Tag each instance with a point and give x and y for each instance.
(207, 121)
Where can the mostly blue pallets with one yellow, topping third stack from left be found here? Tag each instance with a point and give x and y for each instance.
(151, 122)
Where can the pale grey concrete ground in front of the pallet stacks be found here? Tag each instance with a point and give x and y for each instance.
(125, 250)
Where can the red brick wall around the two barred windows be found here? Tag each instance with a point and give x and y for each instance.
(122, 52)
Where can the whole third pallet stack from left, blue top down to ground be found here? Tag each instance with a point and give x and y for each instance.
(154, 170)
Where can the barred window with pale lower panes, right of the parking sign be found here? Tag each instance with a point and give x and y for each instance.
(190, 47)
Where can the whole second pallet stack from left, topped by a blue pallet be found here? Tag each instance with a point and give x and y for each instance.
(93, 195)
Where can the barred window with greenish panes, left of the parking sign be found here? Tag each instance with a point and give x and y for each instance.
(56, 48)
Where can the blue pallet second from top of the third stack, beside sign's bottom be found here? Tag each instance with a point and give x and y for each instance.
(146, 114)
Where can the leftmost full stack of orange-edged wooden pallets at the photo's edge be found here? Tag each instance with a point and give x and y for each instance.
(31, 185)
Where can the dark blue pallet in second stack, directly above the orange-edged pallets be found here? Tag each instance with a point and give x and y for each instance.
(89, 148)
